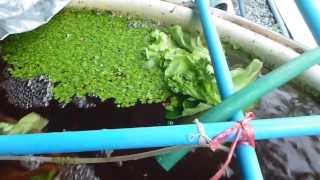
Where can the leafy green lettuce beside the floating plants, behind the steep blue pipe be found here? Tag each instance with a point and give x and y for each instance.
(188, 71)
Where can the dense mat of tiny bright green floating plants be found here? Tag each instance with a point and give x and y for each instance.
(89, 53)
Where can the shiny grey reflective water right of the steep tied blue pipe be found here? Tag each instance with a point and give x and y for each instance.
(291, 158)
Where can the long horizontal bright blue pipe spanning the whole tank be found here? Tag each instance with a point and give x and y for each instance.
(147, 137)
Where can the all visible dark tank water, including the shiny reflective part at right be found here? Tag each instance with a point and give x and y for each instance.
(294, 158)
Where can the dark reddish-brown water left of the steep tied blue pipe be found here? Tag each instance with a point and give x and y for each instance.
(200, 164)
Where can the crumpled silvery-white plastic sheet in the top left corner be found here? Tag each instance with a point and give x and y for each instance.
(17, 16)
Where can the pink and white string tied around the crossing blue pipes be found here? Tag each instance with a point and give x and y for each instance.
(243, 132)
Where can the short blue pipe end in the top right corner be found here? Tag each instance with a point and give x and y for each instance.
(310, 10)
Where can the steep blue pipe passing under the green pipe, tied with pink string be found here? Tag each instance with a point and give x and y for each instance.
(249, 164)
